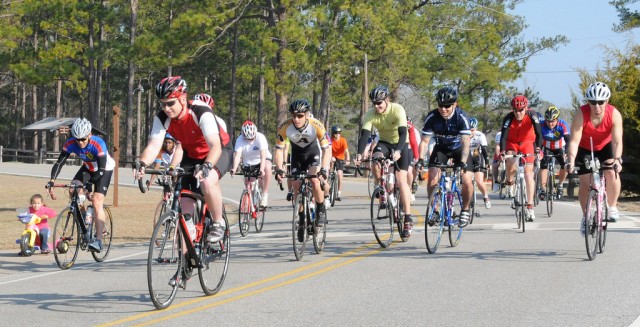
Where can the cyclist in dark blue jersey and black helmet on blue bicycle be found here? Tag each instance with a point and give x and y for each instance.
(450, 127)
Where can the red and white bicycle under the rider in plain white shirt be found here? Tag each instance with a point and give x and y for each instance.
(249, 207)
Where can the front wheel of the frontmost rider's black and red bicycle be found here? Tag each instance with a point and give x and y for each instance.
(165, 261)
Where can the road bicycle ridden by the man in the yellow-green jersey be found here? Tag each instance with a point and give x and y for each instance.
(386, 208)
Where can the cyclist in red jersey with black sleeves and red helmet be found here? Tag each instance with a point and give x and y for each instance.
(521, 133)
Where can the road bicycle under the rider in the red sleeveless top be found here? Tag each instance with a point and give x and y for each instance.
(597, 213)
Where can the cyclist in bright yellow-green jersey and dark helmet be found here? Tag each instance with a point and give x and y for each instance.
(390, 120)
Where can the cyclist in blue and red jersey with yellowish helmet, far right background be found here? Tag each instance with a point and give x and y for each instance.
(555, 137)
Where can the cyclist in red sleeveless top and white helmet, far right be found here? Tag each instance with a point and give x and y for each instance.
(601, 122)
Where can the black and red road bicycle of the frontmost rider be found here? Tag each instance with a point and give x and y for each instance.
(175, 252)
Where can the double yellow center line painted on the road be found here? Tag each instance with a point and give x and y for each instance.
(250, 285)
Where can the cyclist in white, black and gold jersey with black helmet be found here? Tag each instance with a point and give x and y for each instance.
(310, 150)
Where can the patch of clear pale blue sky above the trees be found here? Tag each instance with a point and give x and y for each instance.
(589, 26)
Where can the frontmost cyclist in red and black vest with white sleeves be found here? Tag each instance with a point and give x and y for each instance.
(198, 144)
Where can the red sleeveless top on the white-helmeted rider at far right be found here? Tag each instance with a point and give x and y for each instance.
(601, 135)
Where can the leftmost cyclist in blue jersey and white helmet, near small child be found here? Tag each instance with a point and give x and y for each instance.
(97, 169)
